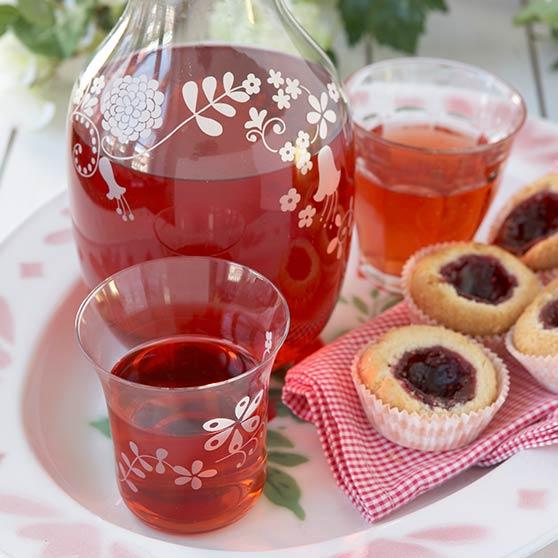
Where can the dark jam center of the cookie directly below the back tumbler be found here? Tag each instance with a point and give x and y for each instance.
(480, 278)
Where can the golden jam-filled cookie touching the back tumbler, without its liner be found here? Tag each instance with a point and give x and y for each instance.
(472, 288)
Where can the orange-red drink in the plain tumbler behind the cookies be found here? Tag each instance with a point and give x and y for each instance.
(407, 198)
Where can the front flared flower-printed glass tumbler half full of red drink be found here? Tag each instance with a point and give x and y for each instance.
(188, 459)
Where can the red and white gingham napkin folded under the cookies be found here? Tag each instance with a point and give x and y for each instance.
(378, 475)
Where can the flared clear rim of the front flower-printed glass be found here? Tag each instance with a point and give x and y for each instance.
(186, 389)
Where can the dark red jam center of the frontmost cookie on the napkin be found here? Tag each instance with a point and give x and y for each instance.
(436, 376)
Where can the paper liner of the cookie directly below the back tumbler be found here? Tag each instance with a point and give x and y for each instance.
(417, 316)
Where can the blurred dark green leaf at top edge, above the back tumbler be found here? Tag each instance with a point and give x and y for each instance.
(394, 23)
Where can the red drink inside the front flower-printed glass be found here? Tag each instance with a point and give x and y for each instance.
(166, 474)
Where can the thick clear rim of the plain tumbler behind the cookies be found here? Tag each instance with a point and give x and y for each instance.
(424, 60)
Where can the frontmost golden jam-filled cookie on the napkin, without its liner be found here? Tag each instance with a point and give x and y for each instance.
(428, 370)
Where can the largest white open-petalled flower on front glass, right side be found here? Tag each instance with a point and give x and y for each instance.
(245, 422)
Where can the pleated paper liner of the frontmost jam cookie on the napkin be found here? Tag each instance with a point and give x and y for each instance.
(434, 432)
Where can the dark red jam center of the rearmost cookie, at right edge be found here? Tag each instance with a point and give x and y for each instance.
(532, 220)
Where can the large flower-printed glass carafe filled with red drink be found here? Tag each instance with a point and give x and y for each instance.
(215, 127)
